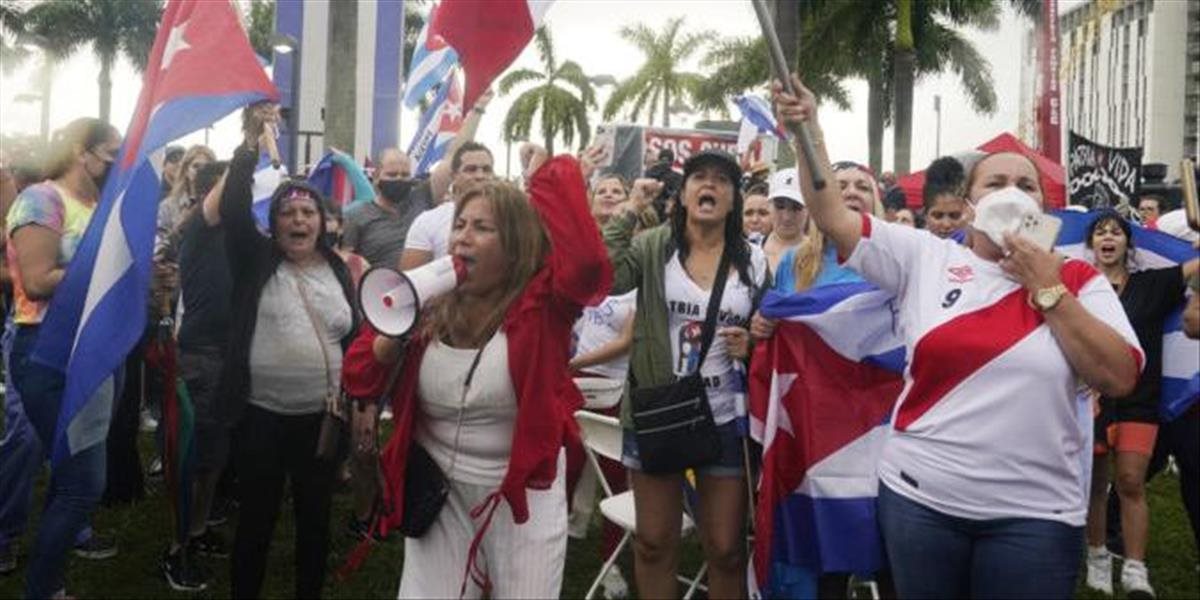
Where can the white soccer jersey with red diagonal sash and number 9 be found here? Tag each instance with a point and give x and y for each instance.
(988, 425)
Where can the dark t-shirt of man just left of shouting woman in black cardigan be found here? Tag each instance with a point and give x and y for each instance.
(206, 284)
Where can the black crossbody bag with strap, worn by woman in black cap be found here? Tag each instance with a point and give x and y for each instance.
(674, 423)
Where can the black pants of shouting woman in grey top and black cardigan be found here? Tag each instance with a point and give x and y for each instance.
(272, 448)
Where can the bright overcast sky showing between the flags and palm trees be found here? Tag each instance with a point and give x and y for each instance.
(587, 33)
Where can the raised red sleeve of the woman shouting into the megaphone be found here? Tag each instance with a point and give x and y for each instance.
(579, 261)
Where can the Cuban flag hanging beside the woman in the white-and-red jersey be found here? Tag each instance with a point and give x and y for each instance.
(821, 394)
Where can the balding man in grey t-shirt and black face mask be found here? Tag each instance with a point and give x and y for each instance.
(377, 230)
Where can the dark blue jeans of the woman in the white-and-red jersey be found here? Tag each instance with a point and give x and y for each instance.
(934, 555)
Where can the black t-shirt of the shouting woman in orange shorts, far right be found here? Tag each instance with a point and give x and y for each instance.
(1149, 298)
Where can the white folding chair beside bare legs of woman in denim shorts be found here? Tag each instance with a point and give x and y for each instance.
(603, 437)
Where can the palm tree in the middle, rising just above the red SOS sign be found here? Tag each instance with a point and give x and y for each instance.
(659, 80)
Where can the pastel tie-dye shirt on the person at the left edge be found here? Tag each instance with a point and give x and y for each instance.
(50, 206)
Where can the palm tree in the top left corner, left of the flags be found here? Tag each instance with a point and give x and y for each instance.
(112, 27)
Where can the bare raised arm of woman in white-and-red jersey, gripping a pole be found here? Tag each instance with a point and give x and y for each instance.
(832, 217)
